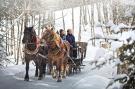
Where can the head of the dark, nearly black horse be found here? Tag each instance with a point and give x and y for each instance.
(29, 35)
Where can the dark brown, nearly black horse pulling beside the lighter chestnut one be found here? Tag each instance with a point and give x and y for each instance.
(32, 52)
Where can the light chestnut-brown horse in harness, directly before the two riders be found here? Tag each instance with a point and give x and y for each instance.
(58, 53)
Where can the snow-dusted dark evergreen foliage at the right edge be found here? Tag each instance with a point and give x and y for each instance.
(127, 57)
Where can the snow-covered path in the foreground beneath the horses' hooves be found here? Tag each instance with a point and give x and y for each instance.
(87, 79)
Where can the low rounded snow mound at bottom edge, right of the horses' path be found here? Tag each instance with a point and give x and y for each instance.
(91, 82)
